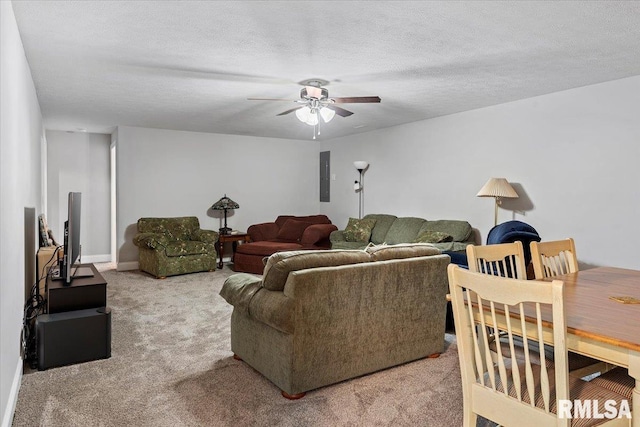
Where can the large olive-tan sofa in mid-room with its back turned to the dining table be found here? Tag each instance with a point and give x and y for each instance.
(320, 317)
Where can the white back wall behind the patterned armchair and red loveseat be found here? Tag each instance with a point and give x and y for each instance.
(164, 173)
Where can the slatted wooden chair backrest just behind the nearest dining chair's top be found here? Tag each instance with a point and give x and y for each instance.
(505, 259)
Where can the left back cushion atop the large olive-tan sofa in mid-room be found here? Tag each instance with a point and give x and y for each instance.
(280, 264)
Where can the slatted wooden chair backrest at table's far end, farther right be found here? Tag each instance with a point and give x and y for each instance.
(554, 258)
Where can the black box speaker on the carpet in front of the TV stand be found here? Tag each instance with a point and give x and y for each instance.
(73, 337)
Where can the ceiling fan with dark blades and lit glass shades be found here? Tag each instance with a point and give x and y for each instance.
(315, 104)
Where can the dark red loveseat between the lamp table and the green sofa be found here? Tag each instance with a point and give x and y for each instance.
(286, 233)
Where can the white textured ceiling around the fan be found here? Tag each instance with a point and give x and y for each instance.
(191, 65)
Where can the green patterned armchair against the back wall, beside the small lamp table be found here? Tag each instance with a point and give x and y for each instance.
(171, 246)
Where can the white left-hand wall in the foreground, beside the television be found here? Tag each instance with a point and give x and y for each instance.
(21, 136)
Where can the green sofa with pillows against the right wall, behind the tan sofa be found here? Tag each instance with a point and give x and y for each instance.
(392, 230)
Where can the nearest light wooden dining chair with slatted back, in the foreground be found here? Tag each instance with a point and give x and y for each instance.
(522, 394)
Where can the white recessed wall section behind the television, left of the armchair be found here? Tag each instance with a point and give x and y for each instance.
(80, 161)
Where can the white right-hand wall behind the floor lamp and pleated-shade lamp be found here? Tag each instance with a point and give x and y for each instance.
(574, 154)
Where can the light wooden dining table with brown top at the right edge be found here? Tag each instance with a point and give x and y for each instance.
(600, 327)
